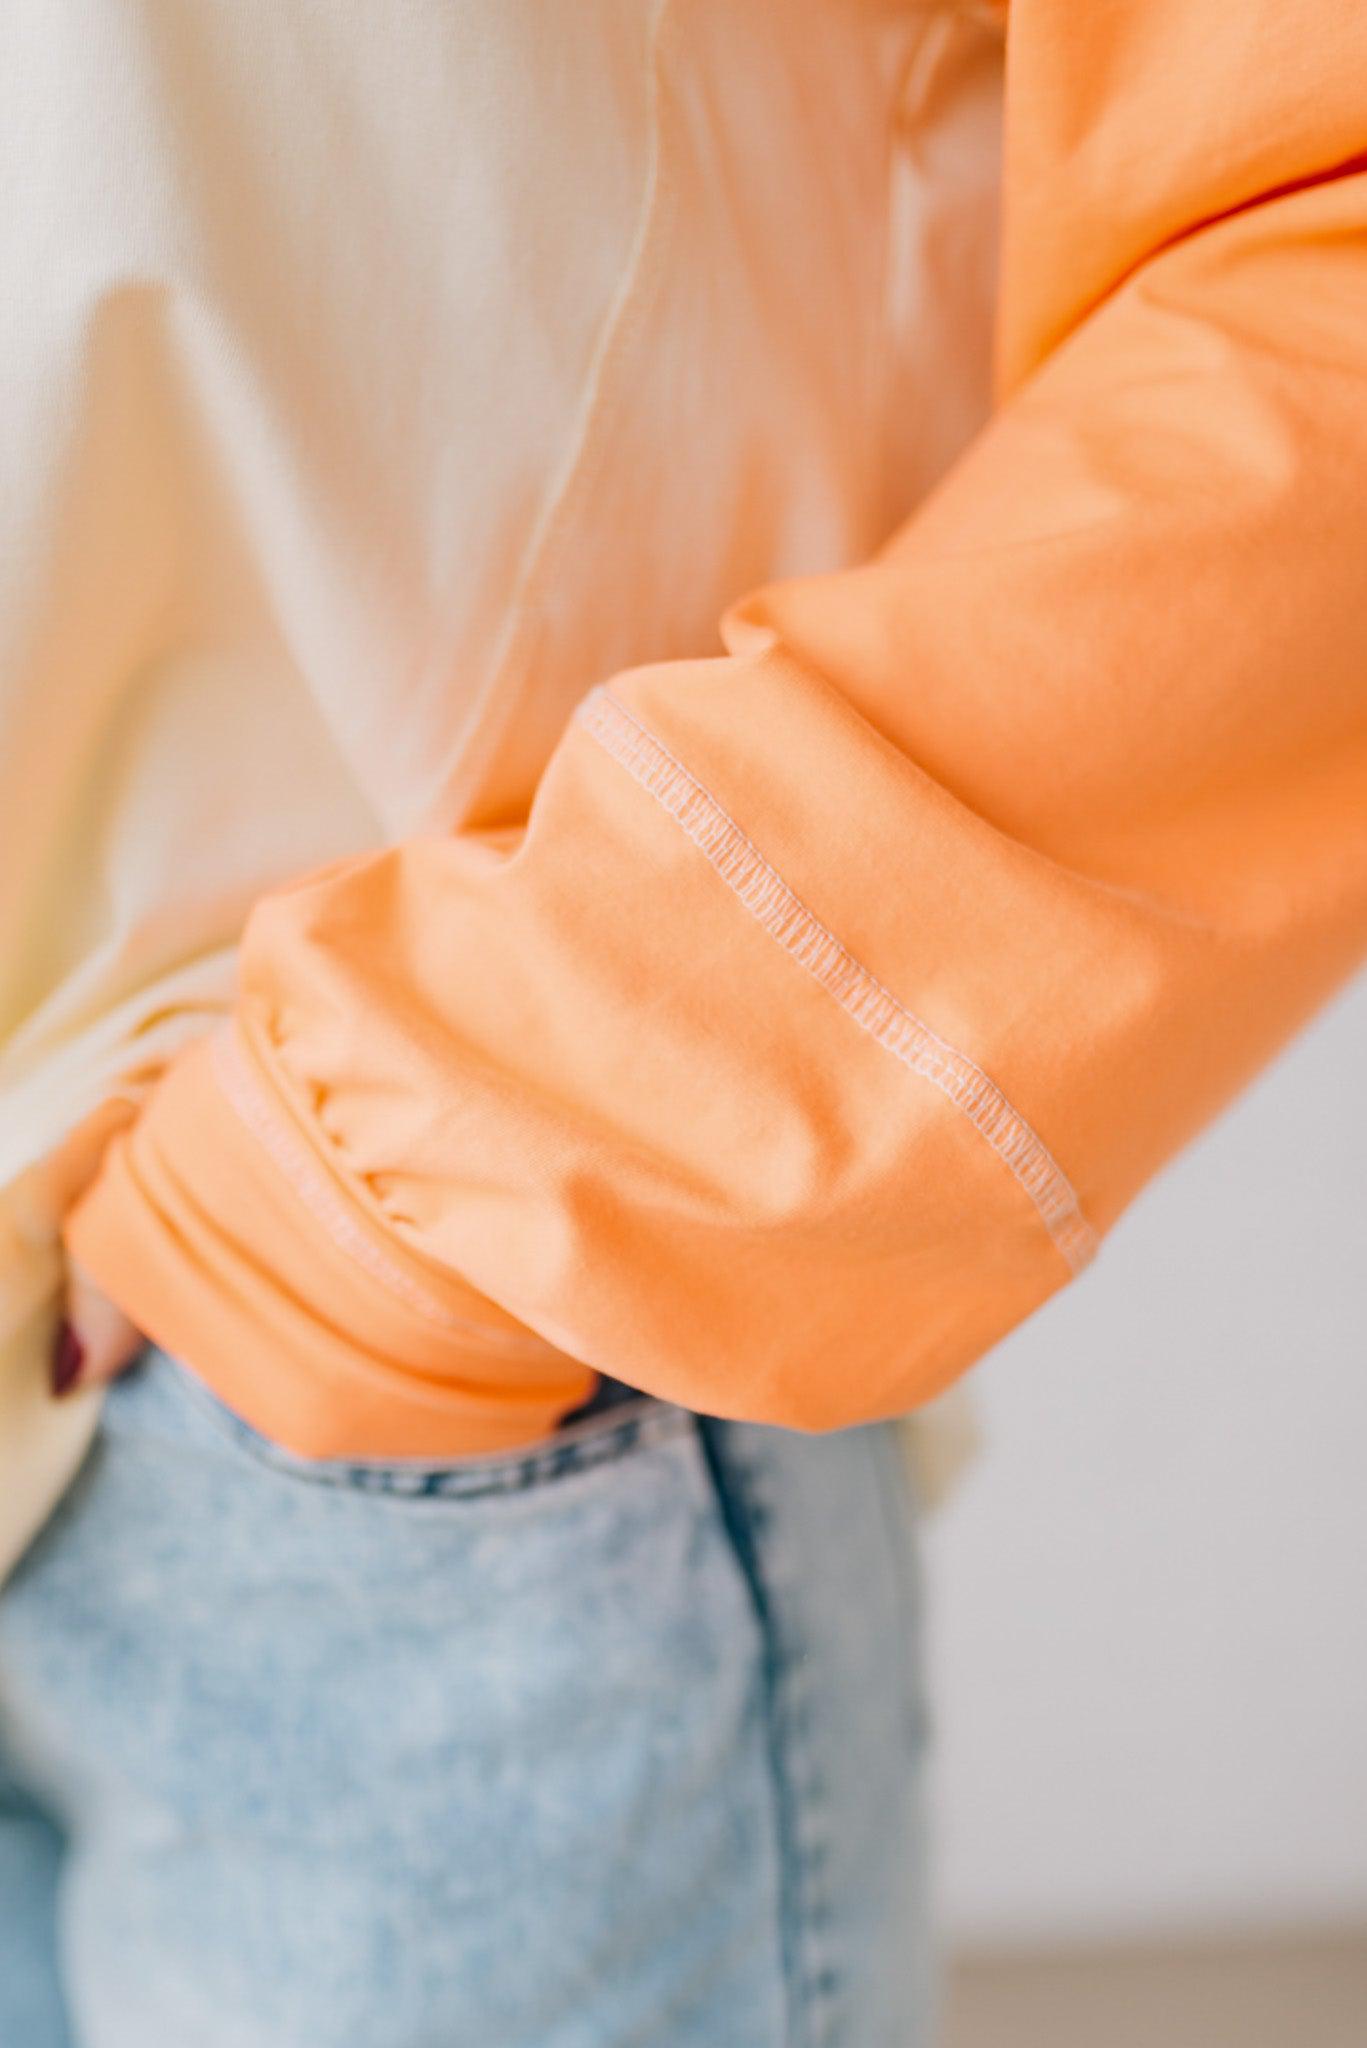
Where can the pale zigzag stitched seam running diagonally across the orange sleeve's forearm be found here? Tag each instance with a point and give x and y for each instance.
(860, 992)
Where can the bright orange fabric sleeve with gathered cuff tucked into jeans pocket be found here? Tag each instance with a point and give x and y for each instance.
(845, 988)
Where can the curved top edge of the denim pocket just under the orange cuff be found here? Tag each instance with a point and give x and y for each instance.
(610, 1428)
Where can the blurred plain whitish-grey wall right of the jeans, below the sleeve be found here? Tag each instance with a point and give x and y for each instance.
(1151, 1594)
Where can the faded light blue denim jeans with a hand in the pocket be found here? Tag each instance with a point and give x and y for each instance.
(608, 1746)
